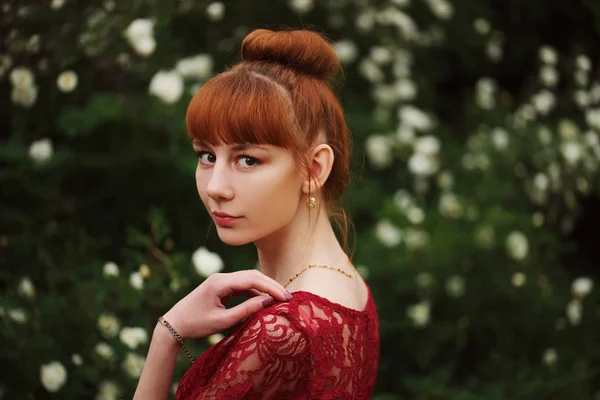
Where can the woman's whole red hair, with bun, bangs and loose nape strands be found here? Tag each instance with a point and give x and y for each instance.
(279, 94)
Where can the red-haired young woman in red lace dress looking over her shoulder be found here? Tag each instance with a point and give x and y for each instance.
(273, 159)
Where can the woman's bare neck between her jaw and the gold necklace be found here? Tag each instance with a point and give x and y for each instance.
(302, 242)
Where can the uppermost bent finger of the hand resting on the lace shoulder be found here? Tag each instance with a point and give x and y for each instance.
(251, 279)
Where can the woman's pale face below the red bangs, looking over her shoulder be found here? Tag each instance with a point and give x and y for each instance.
(259, 186)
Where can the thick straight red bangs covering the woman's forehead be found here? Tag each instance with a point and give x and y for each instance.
(241, 107)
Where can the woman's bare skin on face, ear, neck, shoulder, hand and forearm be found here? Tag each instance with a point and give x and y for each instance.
(266, 187)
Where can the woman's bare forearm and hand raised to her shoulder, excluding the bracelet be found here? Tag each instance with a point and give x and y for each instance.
(198, 315)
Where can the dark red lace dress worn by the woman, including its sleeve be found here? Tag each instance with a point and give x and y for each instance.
(307, 348)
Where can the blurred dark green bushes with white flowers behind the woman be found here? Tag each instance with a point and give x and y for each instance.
(475, 192)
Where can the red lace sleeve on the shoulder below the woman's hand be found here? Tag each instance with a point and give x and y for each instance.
(268, 361)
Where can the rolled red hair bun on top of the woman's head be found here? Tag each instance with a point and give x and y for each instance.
(301, 50)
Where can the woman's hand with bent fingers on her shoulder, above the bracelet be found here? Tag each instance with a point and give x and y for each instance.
(202, 312)
